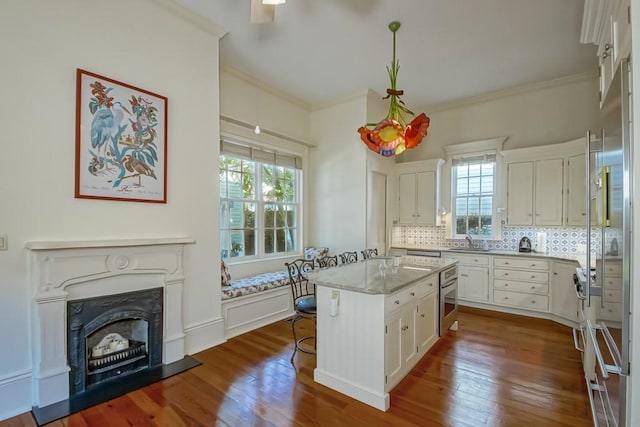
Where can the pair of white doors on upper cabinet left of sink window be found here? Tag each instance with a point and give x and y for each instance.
(417, 198)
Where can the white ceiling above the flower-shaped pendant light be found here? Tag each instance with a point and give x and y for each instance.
(322, 50)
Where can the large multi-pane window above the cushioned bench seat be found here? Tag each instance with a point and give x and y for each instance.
(259, 204)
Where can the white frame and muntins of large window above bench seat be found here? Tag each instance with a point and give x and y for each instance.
(261, 202)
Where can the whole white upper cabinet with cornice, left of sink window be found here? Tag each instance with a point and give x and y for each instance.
(419, 192)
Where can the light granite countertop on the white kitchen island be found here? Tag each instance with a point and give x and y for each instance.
(369, 278)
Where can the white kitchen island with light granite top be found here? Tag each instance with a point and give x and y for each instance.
(374, 323)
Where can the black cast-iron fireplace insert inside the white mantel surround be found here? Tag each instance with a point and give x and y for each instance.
(113, 336)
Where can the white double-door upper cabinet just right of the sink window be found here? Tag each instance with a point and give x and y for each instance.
(534, 192)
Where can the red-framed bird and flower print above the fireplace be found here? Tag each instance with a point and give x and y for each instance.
(121, 141)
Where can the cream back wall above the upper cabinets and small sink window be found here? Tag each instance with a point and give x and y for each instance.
(546, 113)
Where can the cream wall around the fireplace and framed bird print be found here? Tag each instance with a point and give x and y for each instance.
(140, 43)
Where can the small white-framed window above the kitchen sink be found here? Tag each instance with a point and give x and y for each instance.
(473, 198)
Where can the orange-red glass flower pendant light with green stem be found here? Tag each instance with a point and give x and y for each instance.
(392, 135)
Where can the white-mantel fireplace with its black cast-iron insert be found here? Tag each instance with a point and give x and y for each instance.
(122, 296)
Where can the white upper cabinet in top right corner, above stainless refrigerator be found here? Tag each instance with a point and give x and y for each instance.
(607, 24)
